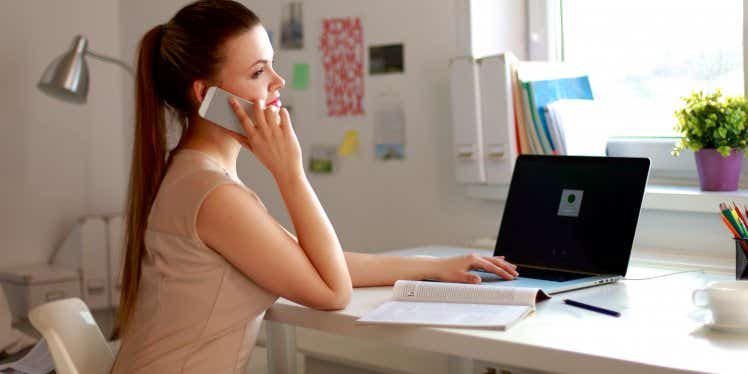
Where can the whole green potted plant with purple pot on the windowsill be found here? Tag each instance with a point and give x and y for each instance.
(714, 127)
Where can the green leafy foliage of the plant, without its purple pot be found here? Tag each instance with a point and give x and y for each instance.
(712, 121)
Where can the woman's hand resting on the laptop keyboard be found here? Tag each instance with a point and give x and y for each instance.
(457, 269)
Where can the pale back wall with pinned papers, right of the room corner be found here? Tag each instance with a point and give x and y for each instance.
(373, 205)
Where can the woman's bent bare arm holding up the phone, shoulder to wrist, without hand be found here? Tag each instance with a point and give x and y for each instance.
(311, 271)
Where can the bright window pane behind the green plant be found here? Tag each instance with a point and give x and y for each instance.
(643, 55)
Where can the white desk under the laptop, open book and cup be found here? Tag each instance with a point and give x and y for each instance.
(659, 330)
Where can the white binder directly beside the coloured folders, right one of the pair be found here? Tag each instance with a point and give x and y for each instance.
(497, 117)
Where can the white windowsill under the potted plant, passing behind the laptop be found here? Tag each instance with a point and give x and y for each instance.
(656, 197)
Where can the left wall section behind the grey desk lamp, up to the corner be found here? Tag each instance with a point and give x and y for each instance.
(59, 161)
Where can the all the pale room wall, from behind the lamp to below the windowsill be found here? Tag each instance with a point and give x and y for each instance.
(61, 161)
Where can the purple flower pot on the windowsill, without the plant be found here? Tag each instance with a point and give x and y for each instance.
(716, 172)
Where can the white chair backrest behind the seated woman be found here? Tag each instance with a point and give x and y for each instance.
(73, 337)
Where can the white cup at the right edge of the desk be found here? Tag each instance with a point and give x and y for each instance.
(727, 300)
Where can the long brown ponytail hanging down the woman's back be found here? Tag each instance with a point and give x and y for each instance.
(147, 170)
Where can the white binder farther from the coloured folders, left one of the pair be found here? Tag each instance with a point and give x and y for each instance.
(466, 120)
